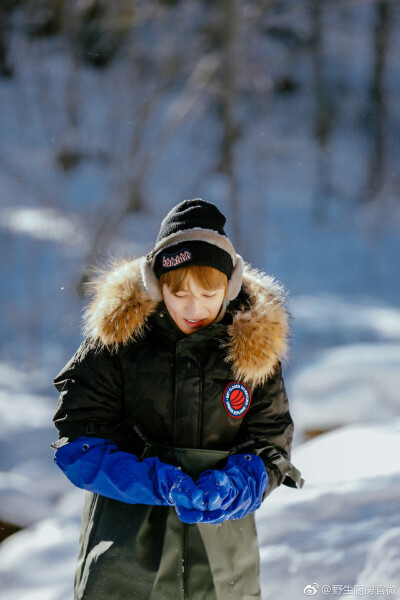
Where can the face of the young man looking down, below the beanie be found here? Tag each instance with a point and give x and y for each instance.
(193, 307)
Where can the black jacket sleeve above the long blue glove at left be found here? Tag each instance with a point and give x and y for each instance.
(91, 395)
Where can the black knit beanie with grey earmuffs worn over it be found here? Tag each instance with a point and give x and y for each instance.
(192, 233)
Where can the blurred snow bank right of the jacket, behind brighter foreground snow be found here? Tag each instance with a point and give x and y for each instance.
(346, 384)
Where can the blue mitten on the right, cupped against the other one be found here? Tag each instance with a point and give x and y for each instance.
(249, 479)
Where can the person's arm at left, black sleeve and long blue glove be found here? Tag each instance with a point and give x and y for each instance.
(89, 419)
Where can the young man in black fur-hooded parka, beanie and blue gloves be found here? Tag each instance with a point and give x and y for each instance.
(173, 415)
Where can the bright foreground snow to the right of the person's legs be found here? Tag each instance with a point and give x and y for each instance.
(342, 529)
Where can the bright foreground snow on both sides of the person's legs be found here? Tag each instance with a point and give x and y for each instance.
(342, 529)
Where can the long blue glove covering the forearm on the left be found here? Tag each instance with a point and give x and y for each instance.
(97, 465)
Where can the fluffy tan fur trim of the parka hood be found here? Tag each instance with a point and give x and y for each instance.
(257, 338)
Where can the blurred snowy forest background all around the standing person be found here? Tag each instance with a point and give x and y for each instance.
(286, 114)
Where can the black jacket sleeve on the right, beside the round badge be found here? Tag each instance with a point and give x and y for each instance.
(267, 430)
